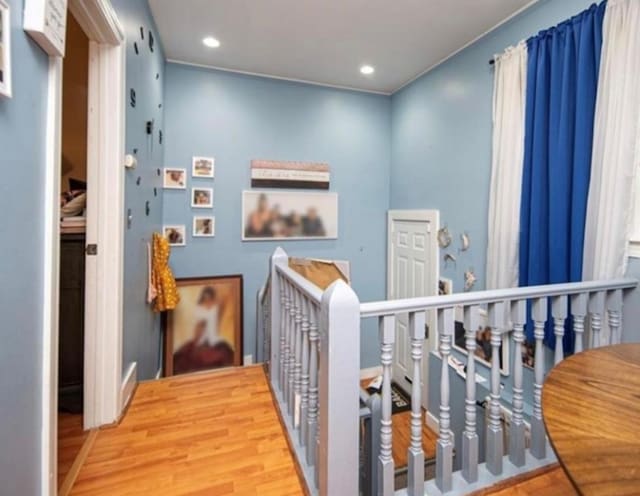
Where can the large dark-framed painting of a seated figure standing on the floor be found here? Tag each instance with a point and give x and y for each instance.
(205, 330)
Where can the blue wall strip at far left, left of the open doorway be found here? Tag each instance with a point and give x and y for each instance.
(22, 161)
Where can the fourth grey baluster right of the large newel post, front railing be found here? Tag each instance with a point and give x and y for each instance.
(470, 435)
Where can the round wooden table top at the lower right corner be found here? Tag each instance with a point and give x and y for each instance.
(591, 410)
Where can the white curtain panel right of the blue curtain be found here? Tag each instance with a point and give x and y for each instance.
(616, 144)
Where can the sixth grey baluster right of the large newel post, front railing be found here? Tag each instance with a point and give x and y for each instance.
(517, 432)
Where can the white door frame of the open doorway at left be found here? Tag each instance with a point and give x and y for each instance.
(104, 274)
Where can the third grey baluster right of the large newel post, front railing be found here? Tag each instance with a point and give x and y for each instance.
(444, 447)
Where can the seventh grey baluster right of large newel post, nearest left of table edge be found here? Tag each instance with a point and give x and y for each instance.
(538, 436)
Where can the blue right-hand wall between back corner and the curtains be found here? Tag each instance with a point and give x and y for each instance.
(441, 136)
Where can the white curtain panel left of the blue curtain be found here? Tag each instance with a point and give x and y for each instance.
(509, 103)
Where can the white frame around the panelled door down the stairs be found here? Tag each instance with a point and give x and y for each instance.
(433, 218)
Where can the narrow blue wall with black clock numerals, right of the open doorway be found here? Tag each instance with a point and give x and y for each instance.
(141, 340)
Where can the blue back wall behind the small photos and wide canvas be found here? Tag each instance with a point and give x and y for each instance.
(237, 118)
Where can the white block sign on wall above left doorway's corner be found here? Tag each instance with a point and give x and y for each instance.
(46, 22)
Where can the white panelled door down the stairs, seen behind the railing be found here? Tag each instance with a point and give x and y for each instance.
(412, 272)
